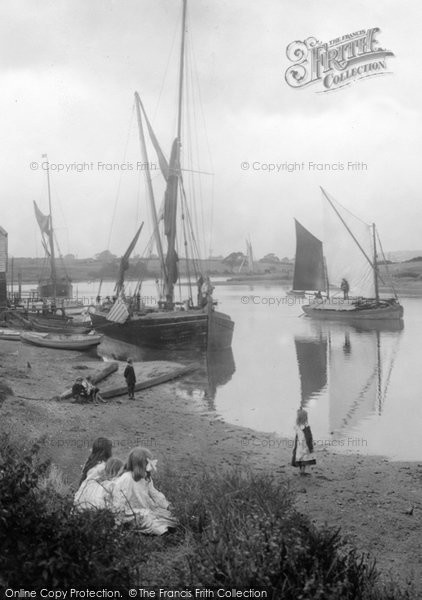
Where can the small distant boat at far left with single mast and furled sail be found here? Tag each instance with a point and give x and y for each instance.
(53, 286)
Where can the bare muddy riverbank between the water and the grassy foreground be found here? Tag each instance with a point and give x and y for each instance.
(369, 498)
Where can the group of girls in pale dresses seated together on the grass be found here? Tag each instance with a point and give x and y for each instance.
(124, 488)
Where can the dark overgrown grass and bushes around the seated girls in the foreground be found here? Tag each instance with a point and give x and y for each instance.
(236, 529)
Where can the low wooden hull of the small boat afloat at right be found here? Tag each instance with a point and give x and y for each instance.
(325, 311)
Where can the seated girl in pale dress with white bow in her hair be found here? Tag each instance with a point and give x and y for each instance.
(135, 499)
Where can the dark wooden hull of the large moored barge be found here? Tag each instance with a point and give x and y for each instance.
(178, 328)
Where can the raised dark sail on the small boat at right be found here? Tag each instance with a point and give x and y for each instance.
(309, 273)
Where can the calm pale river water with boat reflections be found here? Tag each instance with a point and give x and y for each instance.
(361, 387)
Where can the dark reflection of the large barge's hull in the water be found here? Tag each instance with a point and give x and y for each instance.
(211, 369)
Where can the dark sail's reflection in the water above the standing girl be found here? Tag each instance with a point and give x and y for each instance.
(312, 361)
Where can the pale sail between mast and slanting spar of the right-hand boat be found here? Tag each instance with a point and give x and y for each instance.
(348, 249)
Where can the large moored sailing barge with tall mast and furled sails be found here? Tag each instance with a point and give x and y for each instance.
(195, 319)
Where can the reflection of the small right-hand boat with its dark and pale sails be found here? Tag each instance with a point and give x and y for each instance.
(352, 365)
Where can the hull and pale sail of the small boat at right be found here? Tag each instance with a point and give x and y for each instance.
(351, 252)
